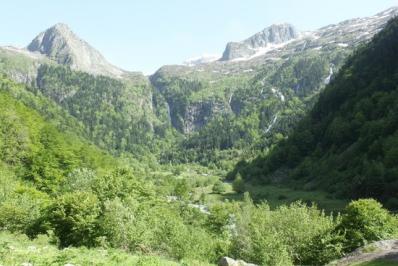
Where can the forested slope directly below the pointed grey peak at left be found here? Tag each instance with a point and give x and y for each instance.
(116, 114)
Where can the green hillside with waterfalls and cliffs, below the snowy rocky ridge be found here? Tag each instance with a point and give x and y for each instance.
(247, 112)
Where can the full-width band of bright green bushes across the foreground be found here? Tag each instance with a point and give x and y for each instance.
(121, 211)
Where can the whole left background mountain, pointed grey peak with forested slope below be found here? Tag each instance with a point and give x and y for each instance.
(114, 108)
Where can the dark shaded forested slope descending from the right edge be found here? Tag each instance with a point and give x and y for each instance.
(348, 142)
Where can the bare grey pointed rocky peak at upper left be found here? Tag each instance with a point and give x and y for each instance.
(62, 45)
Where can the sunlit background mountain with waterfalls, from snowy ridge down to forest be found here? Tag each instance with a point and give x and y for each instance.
(257, 99)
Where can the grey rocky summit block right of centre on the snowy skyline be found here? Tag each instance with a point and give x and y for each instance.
(274, 34)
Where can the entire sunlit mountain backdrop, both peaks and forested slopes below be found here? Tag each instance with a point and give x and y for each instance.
(257, 98)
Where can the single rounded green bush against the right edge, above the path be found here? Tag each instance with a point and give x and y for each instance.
(366, 220)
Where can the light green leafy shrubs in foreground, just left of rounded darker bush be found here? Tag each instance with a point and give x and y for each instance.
(277, 237)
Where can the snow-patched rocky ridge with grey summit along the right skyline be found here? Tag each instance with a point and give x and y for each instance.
(277, 36)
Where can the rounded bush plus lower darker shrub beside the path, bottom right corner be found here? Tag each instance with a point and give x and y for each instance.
(363, 221)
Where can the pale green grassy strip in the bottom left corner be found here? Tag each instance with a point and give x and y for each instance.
(18, 250)
